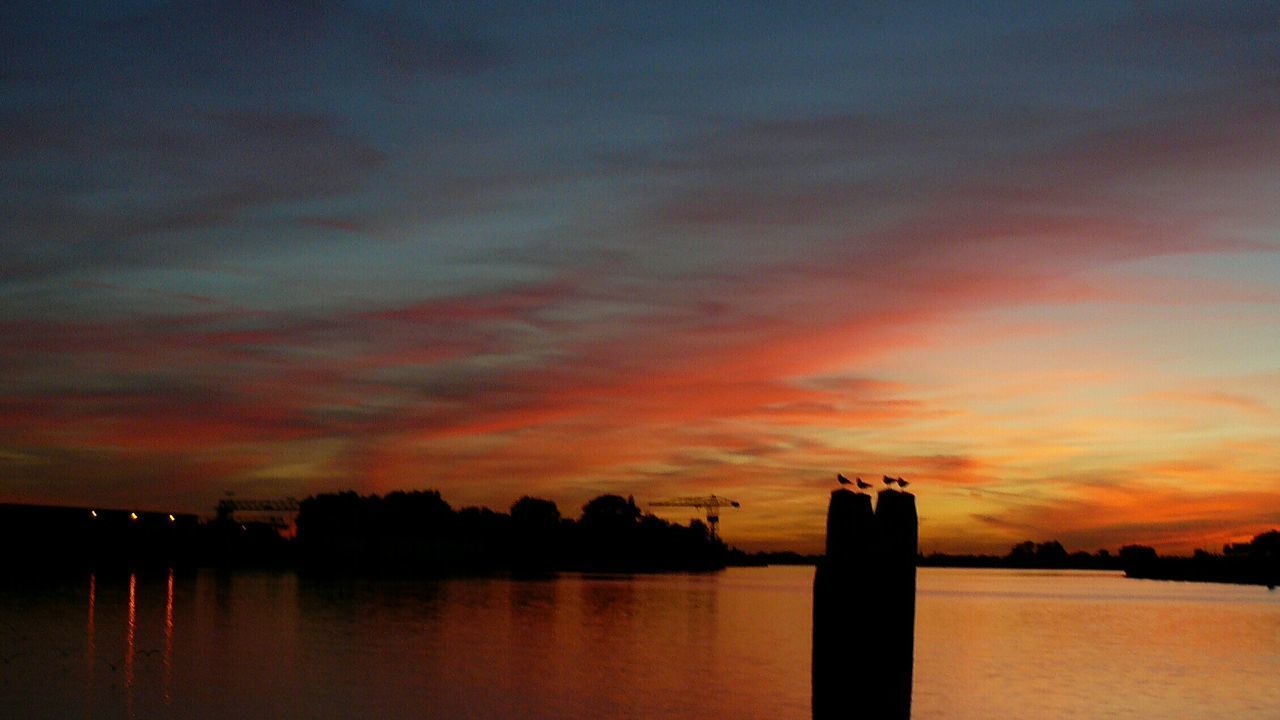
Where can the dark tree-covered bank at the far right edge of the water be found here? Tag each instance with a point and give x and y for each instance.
(1250, 563)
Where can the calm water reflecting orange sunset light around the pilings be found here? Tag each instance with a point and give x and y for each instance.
(990, 644)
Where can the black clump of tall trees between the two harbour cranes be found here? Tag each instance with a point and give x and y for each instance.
(420, 534)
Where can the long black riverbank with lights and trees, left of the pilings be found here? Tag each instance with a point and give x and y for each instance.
(401, 534)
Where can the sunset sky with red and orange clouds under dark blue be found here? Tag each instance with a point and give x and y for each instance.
(1025, 256)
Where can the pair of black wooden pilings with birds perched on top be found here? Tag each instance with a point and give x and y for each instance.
(865, 609)
